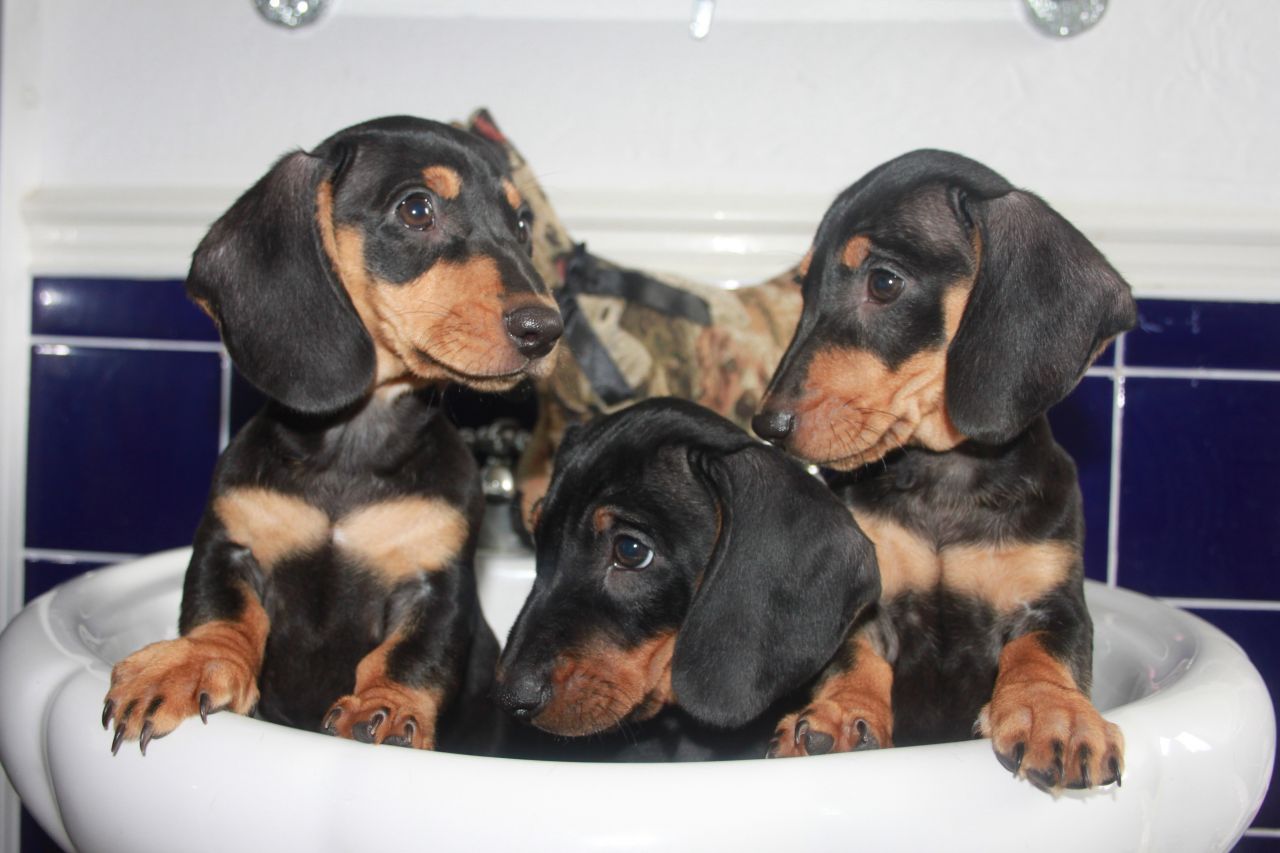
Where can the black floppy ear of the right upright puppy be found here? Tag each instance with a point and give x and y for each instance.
(1044, 305)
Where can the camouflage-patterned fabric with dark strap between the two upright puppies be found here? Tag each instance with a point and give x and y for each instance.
(633, 335)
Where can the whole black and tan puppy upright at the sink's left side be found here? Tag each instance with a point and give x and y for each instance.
(332, 578)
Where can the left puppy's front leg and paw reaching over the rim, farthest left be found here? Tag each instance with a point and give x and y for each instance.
(212, 667)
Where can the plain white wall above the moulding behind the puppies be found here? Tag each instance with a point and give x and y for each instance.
(1165, 103)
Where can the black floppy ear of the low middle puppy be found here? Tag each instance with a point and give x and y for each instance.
(789, 574)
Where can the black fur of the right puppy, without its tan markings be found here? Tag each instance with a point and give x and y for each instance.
(1044, 303)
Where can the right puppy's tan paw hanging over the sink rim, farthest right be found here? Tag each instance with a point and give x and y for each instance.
(1053, 736)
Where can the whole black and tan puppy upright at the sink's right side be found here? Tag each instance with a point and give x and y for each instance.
(944, 313)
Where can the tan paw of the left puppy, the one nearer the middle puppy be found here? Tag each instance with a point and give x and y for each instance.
(385, 713)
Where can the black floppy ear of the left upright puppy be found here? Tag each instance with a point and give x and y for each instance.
(264, 276)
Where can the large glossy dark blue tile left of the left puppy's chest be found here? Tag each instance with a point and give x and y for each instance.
(121, 448)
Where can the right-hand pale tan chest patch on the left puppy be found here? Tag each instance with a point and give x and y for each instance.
(404, 537)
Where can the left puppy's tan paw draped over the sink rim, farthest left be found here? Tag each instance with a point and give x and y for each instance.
(161, 686)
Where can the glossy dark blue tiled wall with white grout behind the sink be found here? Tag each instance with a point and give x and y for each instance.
(124, 437)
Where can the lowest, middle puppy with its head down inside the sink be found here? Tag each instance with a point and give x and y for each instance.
(680, 564)
